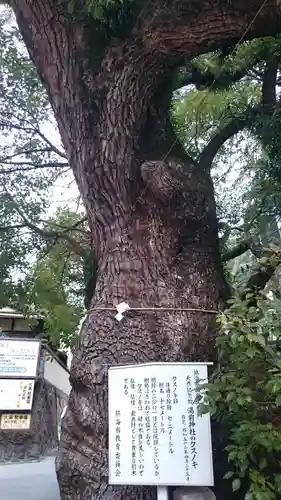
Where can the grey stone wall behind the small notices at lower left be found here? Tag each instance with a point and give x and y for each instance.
(42, 437)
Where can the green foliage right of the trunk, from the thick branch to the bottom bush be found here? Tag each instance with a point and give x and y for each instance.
(243, 395)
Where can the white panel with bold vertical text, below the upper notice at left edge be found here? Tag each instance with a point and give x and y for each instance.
(16, 394)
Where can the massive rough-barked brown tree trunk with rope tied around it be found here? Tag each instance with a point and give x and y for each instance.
(151, 209)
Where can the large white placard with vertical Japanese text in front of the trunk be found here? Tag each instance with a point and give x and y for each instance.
(156, 436)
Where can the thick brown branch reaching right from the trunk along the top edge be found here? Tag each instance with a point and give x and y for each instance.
(231, 20)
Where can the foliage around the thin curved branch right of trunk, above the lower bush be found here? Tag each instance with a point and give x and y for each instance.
(245, 170)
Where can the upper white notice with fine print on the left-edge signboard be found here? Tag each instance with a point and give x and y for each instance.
(19, 358)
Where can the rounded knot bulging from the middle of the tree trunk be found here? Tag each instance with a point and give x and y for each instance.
(162, 177)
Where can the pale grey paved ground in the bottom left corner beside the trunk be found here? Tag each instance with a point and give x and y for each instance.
(29, 481)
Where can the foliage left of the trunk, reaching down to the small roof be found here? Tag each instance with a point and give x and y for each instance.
(39, 272)
